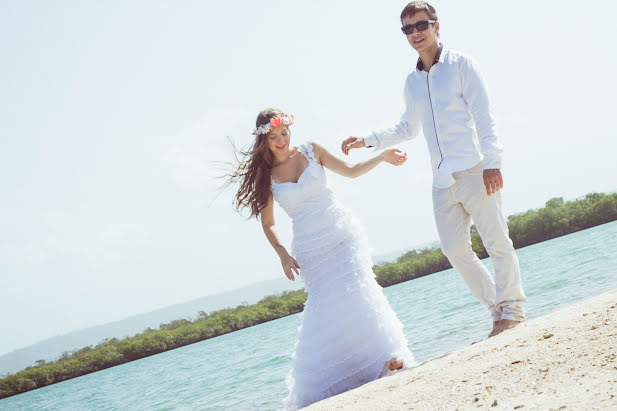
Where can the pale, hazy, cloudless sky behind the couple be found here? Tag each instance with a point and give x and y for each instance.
(113, 115)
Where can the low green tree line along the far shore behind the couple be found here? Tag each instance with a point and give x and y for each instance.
(557, 218)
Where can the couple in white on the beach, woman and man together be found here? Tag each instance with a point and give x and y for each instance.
(349, 334)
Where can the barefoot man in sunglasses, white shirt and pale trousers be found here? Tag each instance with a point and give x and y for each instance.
(446, 98)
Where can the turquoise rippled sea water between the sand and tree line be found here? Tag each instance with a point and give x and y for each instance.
(246, 370)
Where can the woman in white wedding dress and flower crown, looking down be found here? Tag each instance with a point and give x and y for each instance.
(349, 334)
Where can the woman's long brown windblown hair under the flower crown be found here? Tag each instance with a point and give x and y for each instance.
(252, 169)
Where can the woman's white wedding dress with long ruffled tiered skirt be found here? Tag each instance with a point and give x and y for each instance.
(348, 328)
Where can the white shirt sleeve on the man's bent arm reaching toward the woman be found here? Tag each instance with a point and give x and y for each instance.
(406, 129)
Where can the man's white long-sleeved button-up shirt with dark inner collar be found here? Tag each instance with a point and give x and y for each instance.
(450, 105)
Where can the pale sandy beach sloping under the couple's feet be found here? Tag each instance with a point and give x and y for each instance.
(563, 360)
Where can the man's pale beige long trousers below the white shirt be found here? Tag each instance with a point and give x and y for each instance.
(454, 209)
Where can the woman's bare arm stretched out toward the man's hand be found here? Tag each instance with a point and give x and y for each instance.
(324, 157)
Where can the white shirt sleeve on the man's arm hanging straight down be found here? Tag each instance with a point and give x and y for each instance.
(475, 93)
